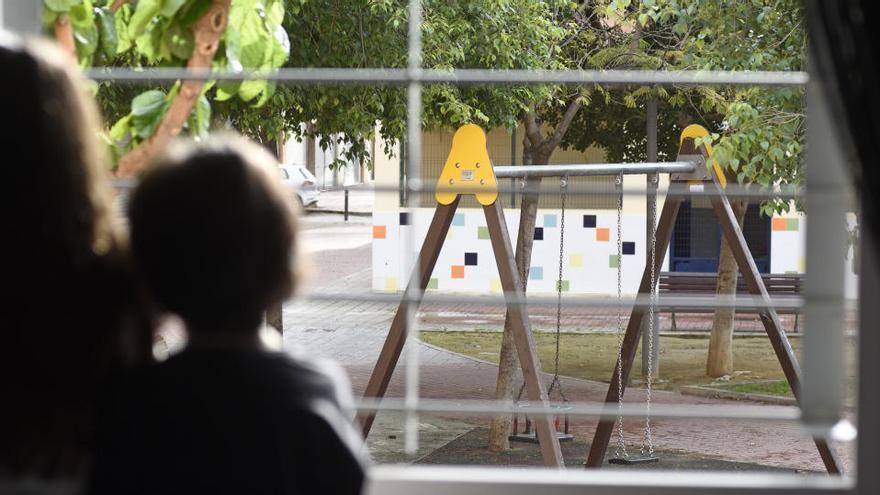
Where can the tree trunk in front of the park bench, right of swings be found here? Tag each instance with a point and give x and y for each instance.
(720, 360)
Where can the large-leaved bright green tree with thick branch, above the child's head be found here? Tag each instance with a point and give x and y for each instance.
(198, 34)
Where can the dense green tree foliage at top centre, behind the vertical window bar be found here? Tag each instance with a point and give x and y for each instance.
(514, 34)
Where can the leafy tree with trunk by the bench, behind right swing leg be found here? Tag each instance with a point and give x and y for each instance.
(759, 138)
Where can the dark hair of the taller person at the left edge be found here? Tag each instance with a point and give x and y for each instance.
(69, 295)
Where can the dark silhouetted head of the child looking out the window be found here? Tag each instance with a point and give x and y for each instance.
(213, 235)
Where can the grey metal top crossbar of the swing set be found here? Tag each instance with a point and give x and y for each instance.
(593, 169)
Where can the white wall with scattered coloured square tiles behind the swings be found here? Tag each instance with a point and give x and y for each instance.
(589, 265)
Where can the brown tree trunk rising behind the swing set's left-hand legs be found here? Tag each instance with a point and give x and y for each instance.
(505, 386)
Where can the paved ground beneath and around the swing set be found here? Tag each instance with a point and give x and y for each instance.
(352, 332)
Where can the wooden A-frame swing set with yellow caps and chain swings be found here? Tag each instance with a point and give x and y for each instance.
(468, 170)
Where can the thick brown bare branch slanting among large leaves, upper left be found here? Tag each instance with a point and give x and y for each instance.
(207, 33)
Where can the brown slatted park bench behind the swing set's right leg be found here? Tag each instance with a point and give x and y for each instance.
(702, 284)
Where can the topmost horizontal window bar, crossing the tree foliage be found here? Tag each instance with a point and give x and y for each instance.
(400, 77)
